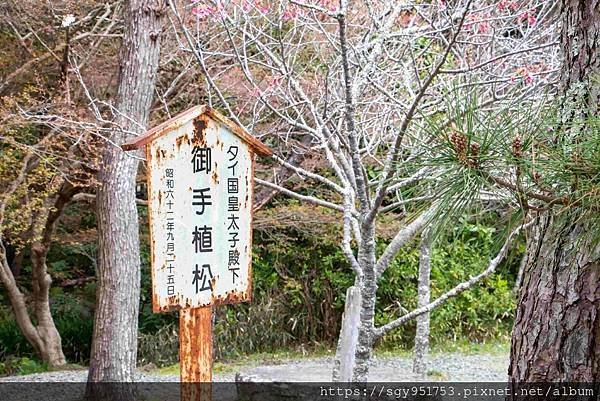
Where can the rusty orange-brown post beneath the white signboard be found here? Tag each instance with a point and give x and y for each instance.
(195, 353)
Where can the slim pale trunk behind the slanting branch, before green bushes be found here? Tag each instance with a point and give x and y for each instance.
(423, 293)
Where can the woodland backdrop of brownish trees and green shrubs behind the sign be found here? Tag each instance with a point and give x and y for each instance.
(300, 273)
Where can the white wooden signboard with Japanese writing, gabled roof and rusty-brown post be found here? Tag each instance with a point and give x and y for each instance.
(200, 169)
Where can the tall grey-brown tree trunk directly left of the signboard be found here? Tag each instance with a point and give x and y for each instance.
(114, 345)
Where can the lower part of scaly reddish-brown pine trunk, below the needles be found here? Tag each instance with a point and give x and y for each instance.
(557, 326)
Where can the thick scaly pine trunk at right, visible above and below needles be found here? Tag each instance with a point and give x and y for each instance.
(557, 327)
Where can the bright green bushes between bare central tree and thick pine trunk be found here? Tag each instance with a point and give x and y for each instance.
(481, 313)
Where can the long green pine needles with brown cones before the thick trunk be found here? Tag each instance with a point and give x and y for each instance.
(544, 154)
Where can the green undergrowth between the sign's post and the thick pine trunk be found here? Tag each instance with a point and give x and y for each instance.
(300, 281)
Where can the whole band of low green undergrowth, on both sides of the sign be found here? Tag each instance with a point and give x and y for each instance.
(299, 281)
